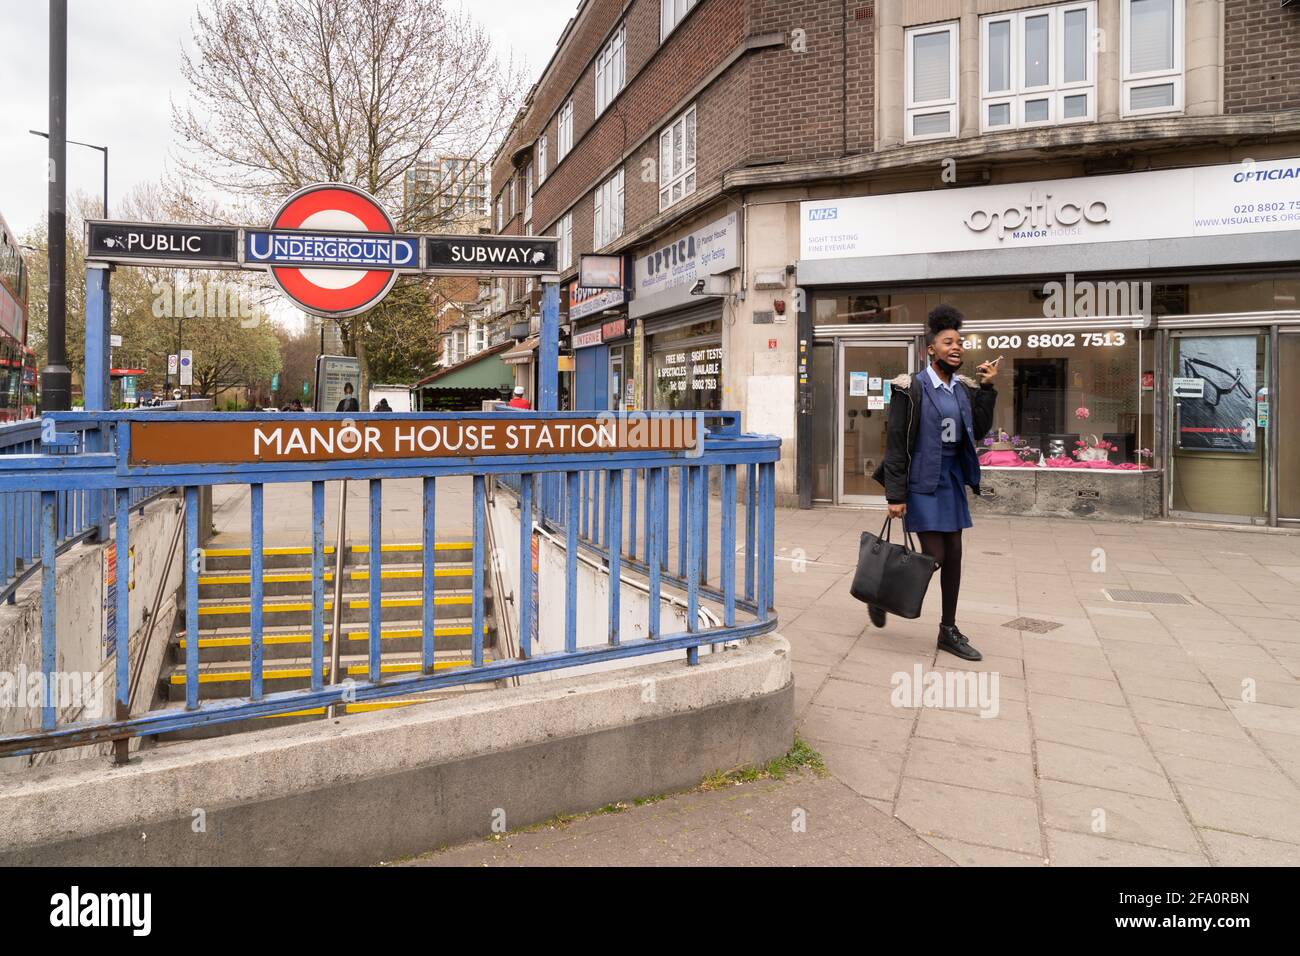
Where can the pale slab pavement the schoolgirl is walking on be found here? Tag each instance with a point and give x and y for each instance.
(1095, 732)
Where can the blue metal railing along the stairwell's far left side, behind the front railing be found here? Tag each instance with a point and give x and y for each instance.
(80, 513)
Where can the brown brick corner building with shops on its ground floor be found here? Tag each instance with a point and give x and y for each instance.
(795, 185)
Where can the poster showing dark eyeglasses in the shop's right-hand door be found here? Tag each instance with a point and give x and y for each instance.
(1223, 417)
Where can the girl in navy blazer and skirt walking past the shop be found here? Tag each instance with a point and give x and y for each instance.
(935, 418)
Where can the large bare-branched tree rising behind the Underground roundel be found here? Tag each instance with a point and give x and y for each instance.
(288, 93)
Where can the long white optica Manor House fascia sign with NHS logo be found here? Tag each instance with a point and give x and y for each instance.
(1171, 204)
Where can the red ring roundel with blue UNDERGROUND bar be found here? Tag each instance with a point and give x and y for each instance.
(332, 249)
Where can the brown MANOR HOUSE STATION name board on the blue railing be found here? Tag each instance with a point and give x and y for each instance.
(396, 438)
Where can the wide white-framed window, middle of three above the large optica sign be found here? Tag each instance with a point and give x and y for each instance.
(1038, 67)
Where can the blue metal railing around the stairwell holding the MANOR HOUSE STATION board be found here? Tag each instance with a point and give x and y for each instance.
(629, 540)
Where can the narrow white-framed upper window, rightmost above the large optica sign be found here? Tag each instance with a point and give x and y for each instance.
(1152, 58)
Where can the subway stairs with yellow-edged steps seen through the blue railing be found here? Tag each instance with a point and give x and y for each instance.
(226, 618)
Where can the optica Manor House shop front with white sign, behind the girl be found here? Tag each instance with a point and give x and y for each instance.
(1147, 326)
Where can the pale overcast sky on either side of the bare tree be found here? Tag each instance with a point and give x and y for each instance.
(124, 72)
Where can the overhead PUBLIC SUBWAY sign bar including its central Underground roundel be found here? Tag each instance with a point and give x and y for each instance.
(331, 249)
